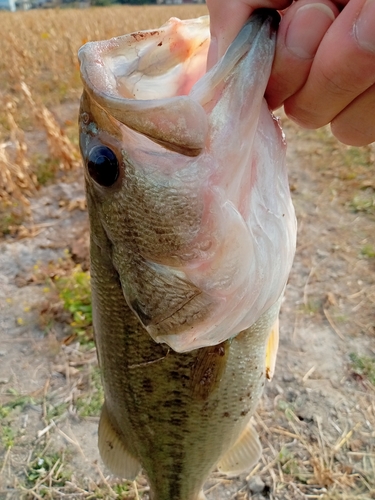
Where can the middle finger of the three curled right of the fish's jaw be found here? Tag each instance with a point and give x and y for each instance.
(343, 68)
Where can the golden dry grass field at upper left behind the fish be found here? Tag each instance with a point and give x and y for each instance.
(39, 70)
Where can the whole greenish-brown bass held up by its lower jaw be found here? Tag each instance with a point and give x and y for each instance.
(192, 236)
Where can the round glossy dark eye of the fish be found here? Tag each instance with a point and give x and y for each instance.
(103, 165)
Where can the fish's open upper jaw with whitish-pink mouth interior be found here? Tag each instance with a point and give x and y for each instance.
(142, 78)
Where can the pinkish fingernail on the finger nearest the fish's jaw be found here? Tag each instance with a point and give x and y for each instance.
(307, 28)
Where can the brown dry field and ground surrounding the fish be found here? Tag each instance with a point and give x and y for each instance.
(317, 417)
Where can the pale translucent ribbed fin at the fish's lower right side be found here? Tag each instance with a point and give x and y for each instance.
(245, 453)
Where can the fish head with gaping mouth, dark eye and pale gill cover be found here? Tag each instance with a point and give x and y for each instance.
(185, 176)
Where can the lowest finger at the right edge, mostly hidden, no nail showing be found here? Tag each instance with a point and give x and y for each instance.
(355, 125)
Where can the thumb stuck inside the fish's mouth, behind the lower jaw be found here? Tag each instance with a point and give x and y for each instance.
(227, 18)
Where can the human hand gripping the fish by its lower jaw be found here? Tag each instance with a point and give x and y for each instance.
(324, 67)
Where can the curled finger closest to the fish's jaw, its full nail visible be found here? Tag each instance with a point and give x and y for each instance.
(301, 30)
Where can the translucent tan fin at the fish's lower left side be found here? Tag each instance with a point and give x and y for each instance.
(113, 450)
